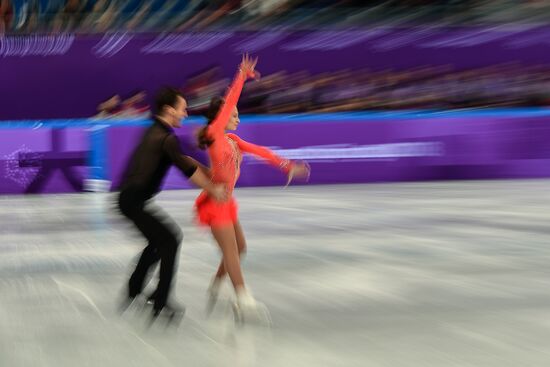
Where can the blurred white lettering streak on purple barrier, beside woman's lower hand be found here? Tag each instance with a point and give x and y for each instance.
(364, 152)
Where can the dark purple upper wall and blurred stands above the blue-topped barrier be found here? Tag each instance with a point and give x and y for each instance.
(316, 56)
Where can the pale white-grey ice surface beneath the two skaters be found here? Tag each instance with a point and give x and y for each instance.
(416, 274)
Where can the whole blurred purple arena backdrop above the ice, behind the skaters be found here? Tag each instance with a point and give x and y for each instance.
(326, 65)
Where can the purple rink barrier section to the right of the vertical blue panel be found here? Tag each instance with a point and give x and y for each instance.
(370, 149)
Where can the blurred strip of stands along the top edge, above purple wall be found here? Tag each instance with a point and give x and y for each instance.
(99, 16)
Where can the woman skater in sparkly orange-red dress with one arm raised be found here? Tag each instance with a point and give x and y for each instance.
(225, 153)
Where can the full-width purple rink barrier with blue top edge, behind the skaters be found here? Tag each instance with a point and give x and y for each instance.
(341, 148)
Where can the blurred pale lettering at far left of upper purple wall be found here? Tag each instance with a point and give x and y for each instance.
(35, 45)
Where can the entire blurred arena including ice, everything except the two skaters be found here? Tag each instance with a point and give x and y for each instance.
(421, 238)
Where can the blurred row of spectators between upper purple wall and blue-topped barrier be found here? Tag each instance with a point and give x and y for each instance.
(439, 88)
